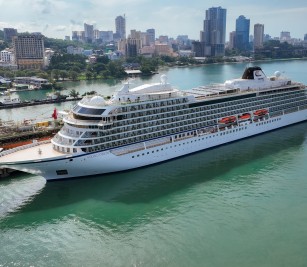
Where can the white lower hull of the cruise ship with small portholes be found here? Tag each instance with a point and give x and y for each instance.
(107, 162)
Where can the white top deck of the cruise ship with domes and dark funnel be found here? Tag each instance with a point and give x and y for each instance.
(253, 81)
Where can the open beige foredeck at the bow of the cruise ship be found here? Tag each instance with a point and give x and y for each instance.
(39, 151)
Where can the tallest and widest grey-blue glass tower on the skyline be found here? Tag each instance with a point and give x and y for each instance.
(214, 32)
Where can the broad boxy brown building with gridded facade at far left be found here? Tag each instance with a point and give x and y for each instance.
(29, 51)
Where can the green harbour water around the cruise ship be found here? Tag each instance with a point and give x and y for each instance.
(241, 204)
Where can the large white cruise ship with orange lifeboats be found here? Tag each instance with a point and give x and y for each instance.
(156, 122)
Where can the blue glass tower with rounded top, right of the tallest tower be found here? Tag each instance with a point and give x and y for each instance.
(242, 33)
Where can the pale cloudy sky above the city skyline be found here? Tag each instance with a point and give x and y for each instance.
(58, 18)
